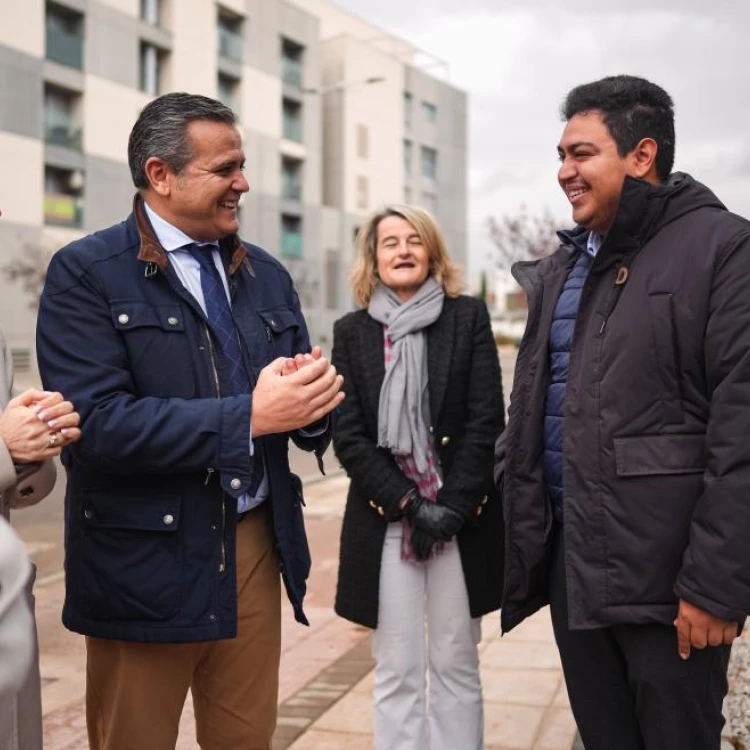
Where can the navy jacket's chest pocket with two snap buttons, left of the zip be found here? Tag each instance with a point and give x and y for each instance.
(160, 353)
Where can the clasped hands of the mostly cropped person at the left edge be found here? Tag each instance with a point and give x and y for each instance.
(37, 425)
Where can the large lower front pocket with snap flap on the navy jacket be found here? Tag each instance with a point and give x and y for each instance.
(130, 565)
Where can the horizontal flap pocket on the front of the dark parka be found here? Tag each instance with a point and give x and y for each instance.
(646, 455)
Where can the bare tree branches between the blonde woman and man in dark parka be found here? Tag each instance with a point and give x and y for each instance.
(523, 237)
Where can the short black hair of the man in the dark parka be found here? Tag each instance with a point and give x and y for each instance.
(632, 109)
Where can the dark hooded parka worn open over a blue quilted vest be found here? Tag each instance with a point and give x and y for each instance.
(656, 467)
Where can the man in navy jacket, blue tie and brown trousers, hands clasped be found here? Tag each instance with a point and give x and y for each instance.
(187, 355)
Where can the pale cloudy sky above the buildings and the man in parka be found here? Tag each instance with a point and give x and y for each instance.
(518, 58)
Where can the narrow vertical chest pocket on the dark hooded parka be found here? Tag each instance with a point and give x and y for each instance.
(667, 354)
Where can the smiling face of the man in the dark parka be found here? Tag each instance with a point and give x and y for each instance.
(592, 171)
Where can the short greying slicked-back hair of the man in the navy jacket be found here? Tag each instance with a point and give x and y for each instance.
(161, 131)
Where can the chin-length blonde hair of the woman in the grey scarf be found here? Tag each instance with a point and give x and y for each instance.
(364, 275)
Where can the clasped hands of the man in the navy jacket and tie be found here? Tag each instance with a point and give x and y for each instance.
(295, 392)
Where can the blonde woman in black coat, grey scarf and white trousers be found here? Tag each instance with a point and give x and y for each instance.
(422, 539)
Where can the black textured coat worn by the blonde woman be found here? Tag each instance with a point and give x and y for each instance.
(466, 407)
